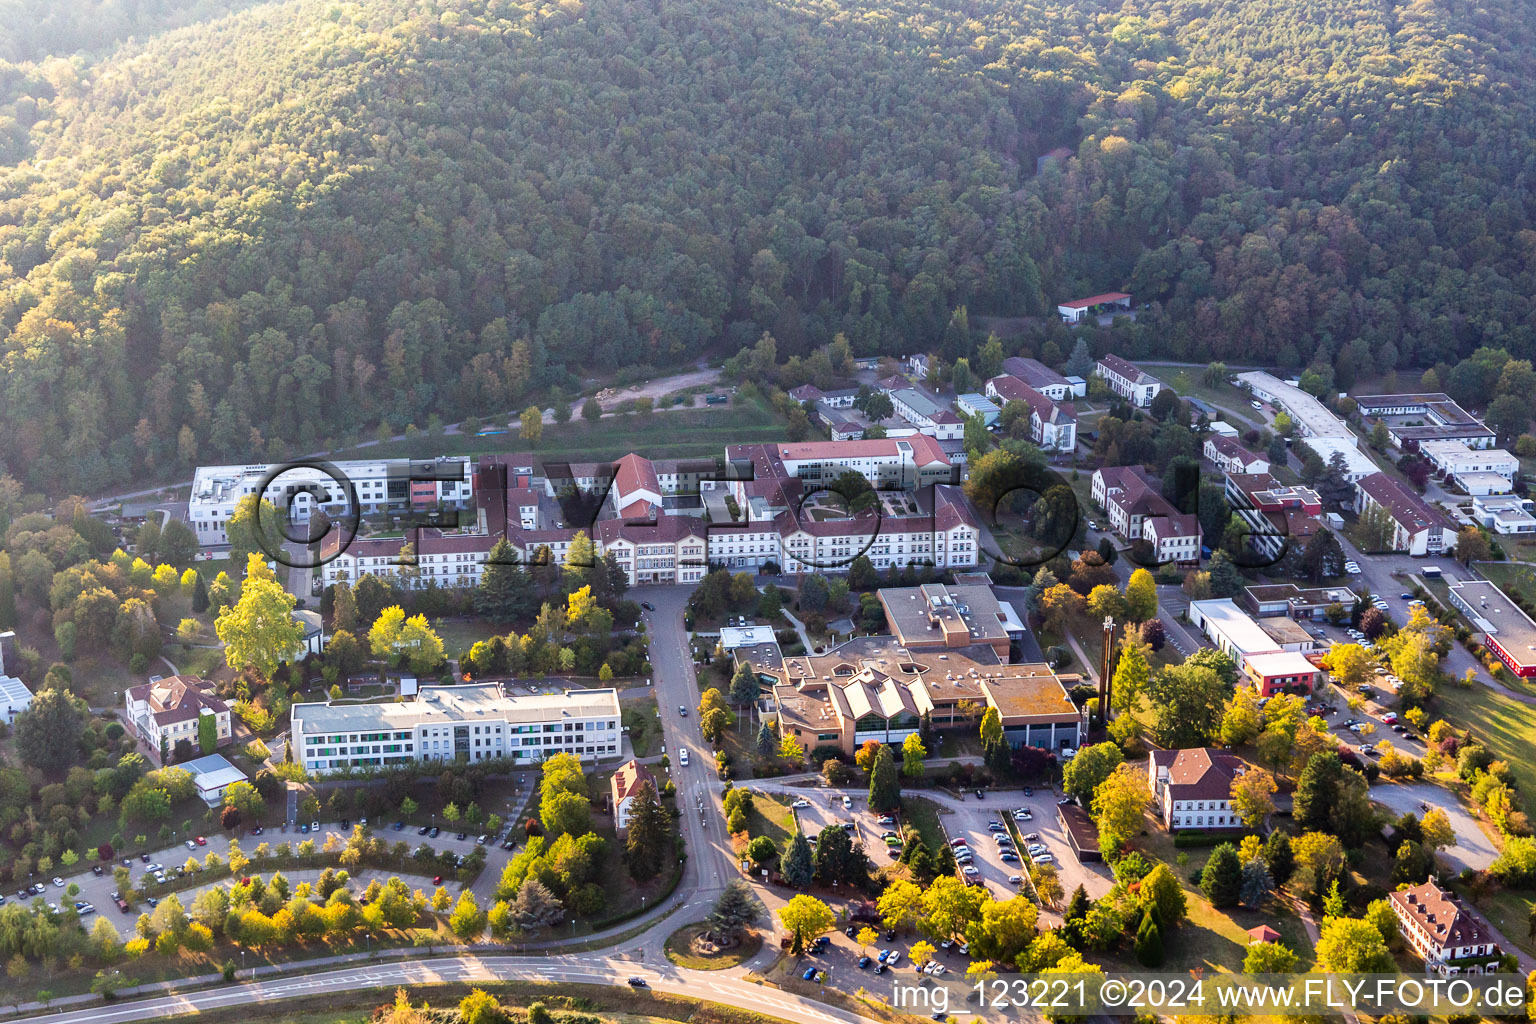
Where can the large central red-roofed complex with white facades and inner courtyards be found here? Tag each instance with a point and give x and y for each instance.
(649, 515)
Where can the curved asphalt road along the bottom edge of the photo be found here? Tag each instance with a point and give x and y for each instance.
(383, 979)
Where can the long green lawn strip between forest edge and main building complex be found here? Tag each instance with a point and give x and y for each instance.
(666, 435)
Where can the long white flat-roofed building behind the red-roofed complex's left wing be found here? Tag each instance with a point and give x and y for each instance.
(383, 486)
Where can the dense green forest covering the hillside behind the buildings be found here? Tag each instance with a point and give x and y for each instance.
(265, 230)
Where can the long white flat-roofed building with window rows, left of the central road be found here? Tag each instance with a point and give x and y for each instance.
(474, 722)
